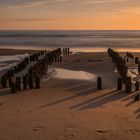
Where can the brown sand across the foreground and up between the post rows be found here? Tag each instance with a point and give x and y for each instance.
(68, 108)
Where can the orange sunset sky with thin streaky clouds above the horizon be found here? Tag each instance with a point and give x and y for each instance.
(70, 14)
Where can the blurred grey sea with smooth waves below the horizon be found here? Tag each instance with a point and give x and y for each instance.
(87, 41)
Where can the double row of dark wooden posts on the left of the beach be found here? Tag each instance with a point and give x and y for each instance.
(32, 78)
